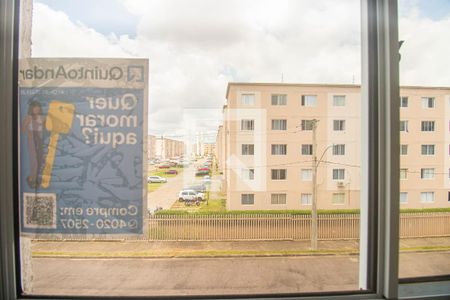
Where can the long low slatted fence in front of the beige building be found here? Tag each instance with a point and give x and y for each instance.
(283, 226)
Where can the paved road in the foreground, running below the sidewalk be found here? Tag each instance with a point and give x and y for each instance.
(200, 276)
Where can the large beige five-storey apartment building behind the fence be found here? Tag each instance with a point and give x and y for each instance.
(265, 146)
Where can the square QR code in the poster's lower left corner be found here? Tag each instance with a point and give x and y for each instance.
(39, 210)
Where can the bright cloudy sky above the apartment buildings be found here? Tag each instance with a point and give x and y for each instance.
(196, 47)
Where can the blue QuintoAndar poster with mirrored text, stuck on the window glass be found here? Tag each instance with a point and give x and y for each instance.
(82, 129)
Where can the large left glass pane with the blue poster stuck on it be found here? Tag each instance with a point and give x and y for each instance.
(225, 134)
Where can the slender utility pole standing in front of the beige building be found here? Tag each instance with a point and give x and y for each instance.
(314, 220)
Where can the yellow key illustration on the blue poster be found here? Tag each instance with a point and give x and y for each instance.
(59, 120)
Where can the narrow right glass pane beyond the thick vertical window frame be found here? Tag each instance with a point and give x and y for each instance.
(425, 158)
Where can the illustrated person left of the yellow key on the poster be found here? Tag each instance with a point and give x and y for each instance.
(33, 125)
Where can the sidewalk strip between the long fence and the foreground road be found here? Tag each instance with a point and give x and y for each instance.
(156, 249)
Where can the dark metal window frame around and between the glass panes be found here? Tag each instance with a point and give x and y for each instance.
(379, 213)
